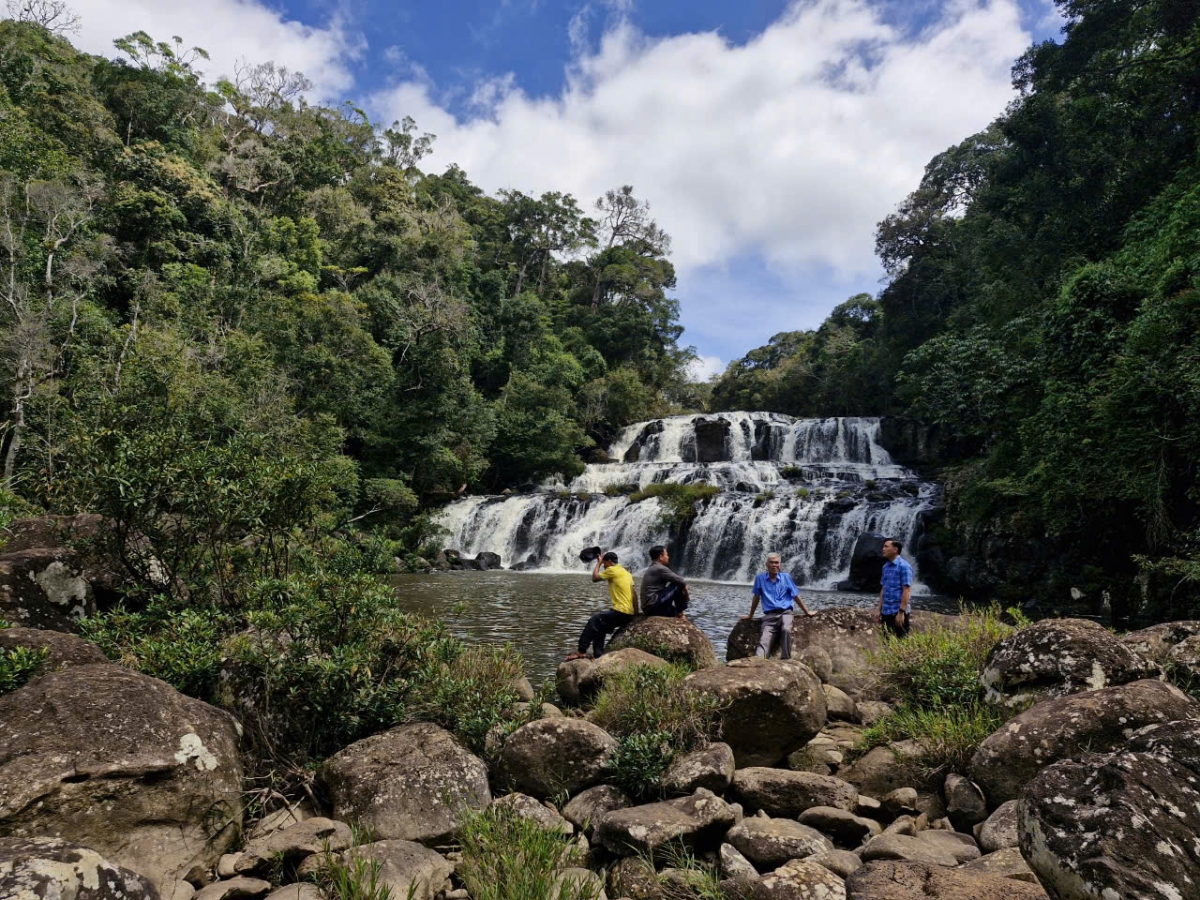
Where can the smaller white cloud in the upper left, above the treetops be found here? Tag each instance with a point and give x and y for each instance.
(231, 32)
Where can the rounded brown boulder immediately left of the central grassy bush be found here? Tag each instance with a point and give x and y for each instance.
(553, 757)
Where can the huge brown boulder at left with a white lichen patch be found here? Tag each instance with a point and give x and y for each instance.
(122, 764)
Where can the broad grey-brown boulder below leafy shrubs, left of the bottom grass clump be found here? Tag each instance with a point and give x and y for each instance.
(410, 784)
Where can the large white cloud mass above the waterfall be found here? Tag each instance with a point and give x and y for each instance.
(791, 147)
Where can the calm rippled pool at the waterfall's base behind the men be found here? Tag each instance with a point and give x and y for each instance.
(543, 615)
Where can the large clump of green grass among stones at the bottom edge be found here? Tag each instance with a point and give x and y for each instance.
(508, 857)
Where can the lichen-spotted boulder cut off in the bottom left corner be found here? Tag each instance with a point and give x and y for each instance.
(52, 869)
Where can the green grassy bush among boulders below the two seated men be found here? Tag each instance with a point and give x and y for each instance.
(655, 719)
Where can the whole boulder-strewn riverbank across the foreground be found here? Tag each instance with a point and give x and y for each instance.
(775, 783)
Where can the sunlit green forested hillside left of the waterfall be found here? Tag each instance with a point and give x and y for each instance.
(229, 283)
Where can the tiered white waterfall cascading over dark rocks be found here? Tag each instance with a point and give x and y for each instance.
(806, 489)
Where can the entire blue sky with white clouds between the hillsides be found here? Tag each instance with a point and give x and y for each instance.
(770, 136)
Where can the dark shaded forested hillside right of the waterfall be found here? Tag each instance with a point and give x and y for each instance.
(1043, 314)
